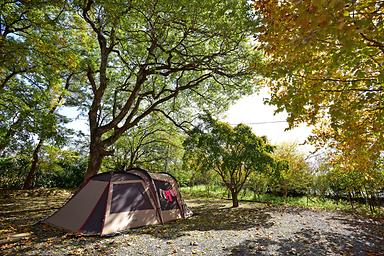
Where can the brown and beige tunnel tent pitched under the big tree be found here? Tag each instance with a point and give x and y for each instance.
(114, 201)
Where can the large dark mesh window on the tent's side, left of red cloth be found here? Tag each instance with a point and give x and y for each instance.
(129, 197)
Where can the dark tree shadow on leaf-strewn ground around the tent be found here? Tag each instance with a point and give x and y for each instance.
(21, 213)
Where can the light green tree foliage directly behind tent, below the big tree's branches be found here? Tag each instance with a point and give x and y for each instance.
(155, 145)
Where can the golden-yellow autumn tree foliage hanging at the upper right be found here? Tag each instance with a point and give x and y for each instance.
(325, 67)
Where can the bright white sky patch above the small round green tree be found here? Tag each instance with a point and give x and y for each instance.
(250, 110)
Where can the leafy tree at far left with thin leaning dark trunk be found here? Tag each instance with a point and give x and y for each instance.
(37, 67)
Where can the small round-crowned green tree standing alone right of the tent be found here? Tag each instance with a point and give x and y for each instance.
(233, 153)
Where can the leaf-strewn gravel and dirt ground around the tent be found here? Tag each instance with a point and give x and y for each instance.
(214, 229)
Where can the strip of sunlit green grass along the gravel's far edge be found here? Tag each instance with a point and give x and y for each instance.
(202, 191)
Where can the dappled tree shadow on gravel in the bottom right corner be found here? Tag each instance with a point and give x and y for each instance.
(366, 238)
